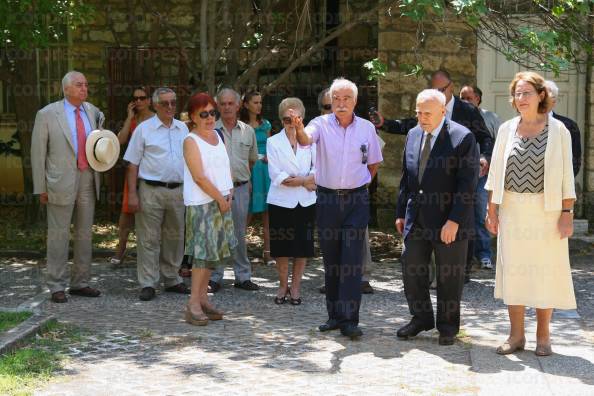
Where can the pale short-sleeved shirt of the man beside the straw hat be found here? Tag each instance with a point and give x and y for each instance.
(157, 150)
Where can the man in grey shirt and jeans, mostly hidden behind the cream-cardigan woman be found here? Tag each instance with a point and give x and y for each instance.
(482, 243)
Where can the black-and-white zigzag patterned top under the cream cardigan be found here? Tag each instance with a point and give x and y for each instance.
(525, 165)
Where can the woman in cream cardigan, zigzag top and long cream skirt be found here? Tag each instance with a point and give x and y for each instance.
(531, 197)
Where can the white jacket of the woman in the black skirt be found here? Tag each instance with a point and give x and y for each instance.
(283, 163)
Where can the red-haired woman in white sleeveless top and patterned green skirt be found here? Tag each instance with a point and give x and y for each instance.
(207, 195)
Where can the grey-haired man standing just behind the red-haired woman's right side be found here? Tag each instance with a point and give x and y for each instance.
(240, 141)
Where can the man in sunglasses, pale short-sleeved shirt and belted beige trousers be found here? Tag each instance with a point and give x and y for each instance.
(156, 166)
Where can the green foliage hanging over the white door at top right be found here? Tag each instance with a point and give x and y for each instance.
(553, 37)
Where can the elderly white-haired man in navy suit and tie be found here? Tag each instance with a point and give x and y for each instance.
(435, 214)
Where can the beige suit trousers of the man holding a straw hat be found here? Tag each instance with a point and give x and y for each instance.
(59, 218)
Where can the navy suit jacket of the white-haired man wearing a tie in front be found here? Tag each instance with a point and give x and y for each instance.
(448, 184)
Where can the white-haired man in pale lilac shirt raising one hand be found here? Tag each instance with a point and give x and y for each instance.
(347, 158)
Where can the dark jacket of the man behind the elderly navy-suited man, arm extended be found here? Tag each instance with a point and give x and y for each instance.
(462, 113)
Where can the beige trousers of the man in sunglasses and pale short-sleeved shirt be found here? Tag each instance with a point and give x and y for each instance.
(160, 231)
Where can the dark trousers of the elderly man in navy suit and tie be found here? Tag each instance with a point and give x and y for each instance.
(450, 263)
